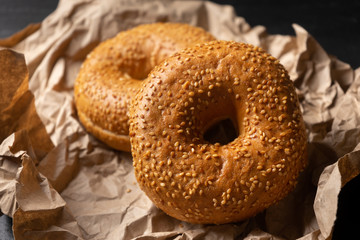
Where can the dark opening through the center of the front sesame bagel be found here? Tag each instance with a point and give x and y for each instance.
(222, 131)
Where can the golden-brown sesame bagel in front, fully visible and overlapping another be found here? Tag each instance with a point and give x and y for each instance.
(195, 180)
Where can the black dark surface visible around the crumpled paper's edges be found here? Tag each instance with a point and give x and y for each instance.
(334, 24)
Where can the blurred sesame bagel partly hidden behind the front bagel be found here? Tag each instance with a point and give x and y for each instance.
(112, 73)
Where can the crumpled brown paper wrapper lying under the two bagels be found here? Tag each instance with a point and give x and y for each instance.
(58, 182)
